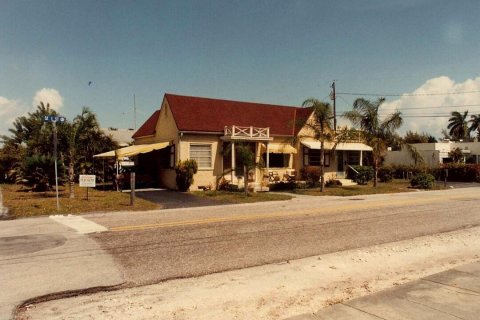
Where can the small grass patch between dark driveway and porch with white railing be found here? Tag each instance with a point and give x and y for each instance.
(239, 197)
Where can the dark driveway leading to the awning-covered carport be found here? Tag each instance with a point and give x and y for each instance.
(167, 199)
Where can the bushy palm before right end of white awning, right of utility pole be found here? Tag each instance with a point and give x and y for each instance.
(376, 133)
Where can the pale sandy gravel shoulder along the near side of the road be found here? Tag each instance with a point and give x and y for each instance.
(276, 291)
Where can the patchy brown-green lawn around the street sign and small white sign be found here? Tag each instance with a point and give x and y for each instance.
(24, 203)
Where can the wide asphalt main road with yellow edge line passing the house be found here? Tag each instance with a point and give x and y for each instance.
(152, 247)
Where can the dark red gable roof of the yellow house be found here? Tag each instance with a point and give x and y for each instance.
(212, 115)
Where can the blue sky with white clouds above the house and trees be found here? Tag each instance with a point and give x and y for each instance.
(422, 55)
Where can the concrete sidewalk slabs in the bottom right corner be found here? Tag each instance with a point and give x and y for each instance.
(452, 294)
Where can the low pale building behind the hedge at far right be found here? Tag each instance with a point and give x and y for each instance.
(434, 154)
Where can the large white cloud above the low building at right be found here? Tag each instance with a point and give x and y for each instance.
(424, 107)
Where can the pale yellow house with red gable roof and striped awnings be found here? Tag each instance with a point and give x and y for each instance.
(208, 130)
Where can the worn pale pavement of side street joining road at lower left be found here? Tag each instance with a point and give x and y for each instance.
(40, 256)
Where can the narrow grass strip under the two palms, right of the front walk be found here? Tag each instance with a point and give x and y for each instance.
(395, 186)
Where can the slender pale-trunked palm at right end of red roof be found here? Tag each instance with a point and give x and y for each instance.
(321, 127)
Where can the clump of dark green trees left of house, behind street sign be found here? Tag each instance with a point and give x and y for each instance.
(78, 141)
